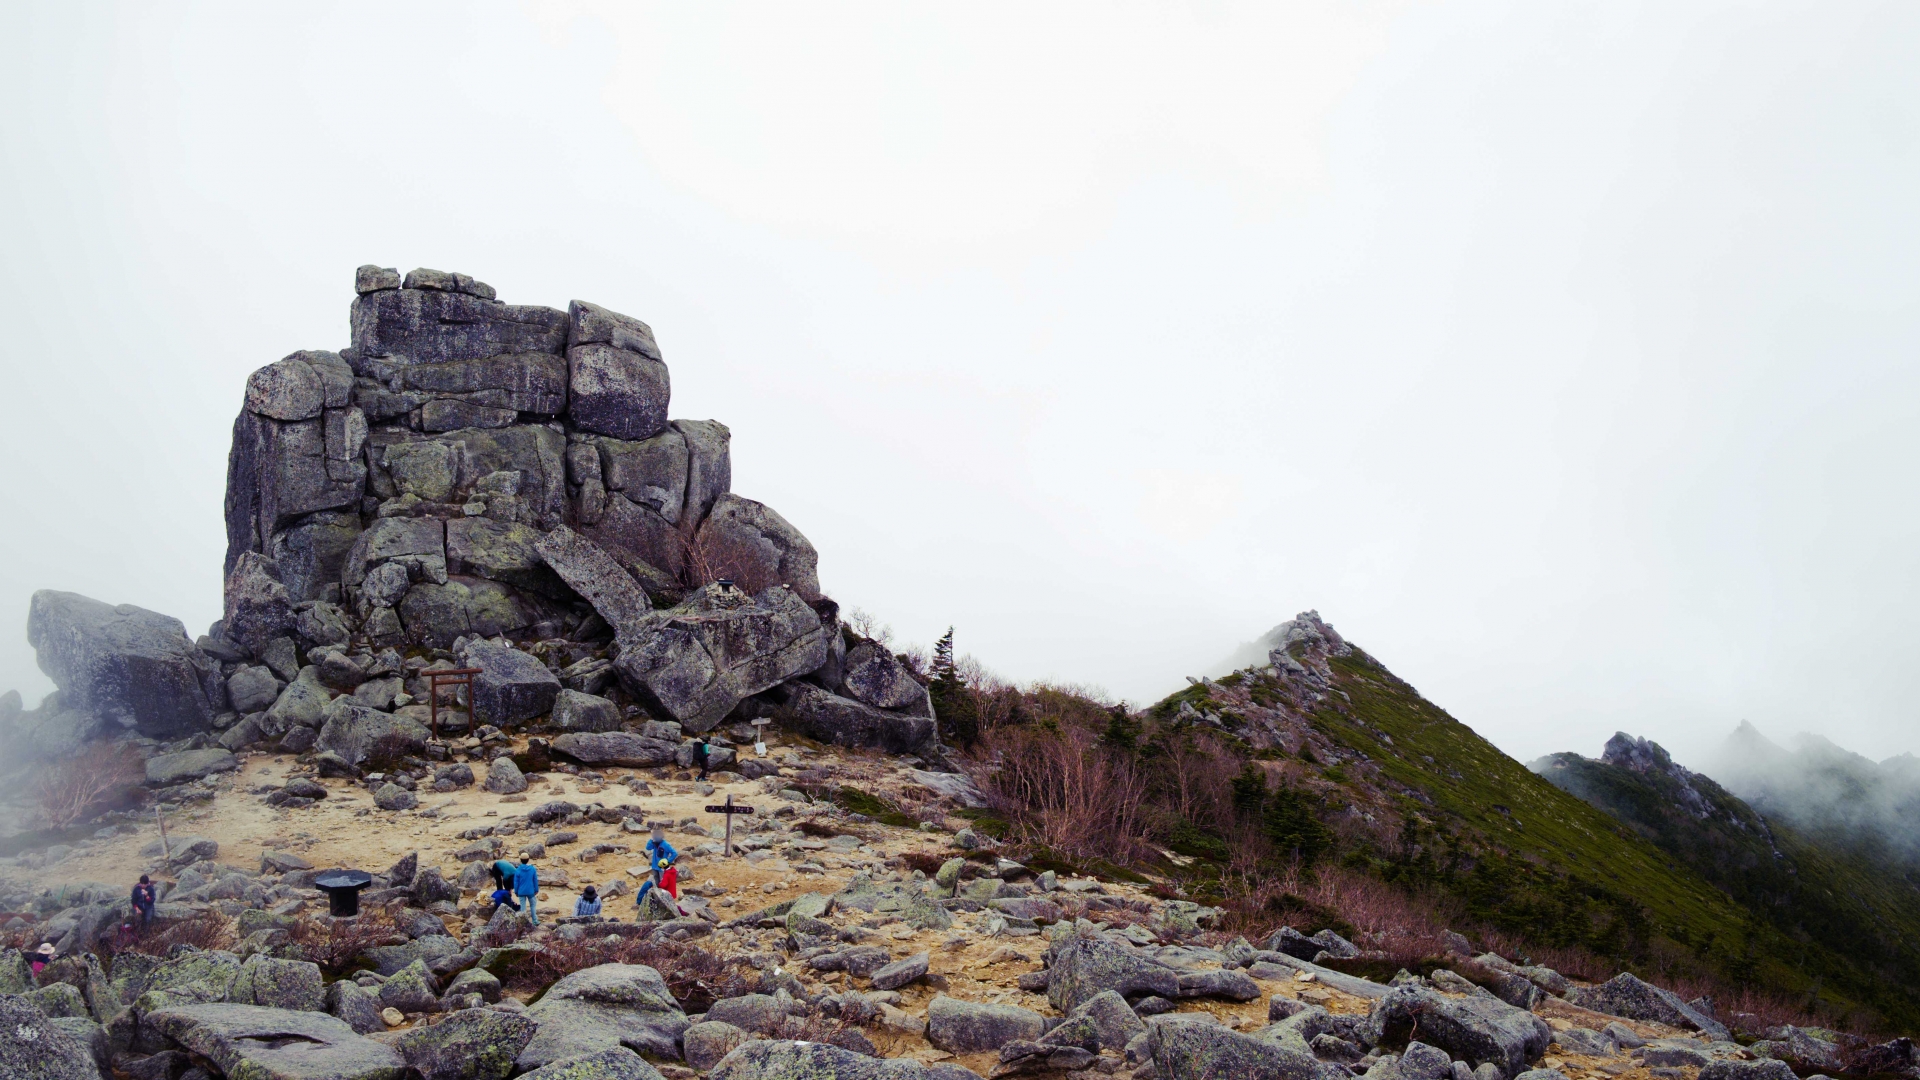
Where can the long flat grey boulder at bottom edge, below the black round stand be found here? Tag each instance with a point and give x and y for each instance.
(276, 1044)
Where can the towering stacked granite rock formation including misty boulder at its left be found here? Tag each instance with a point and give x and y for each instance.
(491, 485)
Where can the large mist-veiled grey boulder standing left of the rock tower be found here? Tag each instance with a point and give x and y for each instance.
(124, 666)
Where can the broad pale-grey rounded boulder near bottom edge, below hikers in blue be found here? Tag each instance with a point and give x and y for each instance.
(604, 1008)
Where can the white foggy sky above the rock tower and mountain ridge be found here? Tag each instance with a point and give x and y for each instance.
(1560, 355)
